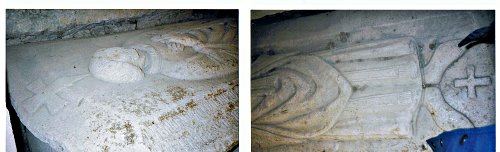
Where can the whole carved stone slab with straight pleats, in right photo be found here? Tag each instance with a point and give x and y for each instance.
(377, 81)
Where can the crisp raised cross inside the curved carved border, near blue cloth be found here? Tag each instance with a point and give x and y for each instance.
(471, 82)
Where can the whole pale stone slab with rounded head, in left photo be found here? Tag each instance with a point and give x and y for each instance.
(170, 88)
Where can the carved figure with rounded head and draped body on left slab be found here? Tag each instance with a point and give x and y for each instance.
(194, 54)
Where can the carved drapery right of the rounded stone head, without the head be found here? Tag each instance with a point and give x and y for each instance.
(194, 54)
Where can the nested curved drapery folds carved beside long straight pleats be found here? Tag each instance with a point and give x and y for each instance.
(298, 96)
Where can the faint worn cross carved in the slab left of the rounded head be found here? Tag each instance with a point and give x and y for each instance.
(46, 95)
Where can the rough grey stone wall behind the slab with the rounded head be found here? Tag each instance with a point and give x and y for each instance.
(27, 26)
